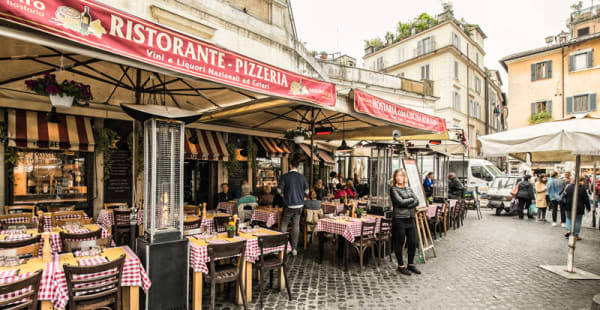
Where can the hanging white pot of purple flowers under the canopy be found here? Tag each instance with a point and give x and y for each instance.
(61, 94)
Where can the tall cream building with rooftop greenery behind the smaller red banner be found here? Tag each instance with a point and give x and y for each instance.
(451, 56)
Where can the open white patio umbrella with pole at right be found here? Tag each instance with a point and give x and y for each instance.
(575, 138)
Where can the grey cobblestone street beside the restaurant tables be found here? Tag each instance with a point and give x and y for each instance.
(487, 264)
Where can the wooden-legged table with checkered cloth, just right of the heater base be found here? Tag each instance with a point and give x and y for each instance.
(199, 259)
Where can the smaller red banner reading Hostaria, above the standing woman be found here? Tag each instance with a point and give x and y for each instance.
(379, 108)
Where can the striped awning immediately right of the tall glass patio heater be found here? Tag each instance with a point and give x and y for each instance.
(210, 145)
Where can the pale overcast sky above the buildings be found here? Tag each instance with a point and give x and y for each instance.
(510, 25)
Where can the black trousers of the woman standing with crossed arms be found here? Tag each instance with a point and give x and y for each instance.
(404, 229)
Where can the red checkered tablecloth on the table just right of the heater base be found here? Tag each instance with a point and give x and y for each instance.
(199, 255)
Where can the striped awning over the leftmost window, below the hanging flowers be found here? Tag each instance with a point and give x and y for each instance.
(29, 129)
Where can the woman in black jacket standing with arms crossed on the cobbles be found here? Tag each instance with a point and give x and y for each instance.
(404, 202)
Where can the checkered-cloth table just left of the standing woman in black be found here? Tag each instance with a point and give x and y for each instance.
(347, 228)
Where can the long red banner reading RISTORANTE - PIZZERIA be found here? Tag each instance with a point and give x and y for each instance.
(103, 27)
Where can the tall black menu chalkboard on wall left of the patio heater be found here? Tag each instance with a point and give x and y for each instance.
(117, 187)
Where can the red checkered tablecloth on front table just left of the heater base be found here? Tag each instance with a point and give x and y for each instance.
(133, 275)
